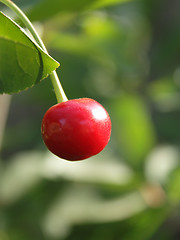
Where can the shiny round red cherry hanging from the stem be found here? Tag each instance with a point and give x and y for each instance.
(76, 129)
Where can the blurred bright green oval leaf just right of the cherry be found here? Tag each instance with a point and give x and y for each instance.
(135, 133)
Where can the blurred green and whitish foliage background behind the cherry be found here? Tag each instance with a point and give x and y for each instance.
(125, 54)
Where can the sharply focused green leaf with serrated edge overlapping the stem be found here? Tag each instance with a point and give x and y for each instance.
(22, 63)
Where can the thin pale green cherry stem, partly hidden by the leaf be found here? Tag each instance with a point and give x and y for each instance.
(59, 92)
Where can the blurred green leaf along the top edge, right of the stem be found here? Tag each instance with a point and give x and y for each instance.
(49, 8)
